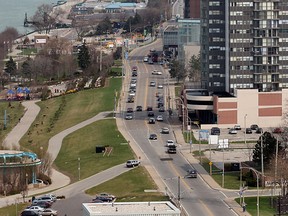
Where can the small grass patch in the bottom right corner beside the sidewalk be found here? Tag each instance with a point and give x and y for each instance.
(264, 206)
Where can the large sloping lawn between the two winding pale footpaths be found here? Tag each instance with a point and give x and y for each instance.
(60, 113)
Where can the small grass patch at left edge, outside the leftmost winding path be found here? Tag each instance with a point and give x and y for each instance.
(14, 111)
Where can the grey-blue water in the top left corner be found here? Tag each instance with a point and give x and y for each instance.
(12, 13)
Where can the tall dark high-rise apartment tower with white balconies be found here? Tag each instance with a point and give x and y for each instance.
(244, 45)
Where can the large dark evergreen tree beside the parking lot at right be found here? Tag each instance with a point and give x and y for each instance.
(269, 148)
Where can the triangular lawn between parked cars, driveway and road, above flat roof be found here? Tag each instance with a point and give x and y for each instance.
(130, 187)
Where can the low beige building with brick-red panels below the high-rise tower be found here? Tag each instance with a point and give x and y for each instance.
(248, 106)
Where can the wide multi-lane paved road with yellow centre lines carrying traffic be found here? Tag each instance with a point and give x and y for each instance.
(196, 197)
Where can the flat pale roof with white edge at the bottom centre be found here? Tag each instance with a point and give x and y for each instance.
(120, 208)
